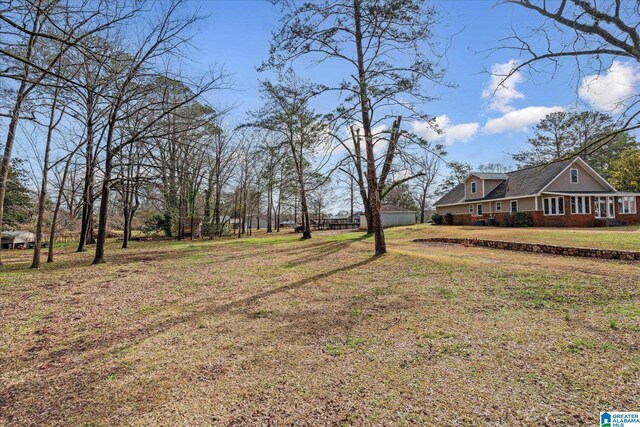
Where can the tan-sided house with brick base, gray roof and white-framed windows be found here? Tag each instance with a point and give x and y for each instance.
(562, 194)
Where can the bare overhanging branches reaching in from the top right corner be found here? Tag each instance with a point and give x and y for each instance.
(590, 33)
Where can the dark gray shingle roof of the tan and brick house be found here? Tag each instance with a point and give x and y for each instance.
(523, 182)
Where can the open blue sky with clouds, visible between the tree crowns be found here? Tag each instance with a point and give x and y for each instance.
(477, 129)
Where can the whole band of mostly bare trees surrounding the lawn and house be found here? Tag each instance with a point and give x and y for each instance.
(94, 88)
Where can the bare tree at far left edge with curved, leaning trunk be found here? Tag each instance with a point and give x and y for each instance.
(27, 25)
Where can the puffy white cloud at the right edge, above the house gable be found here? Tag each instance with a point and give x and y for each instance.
(609, 91)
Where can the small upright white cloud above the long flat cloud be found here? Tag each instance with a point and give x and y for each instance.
(502, 93)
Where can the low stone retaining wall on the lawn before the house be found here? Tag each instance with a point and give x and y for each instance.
(539, 248)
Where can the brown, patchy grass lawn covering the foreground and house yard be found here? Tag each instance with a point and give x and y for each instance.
(274, 331)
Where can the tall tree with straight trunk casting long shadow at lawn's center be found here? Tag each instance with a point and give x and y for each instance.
(364, 35)
